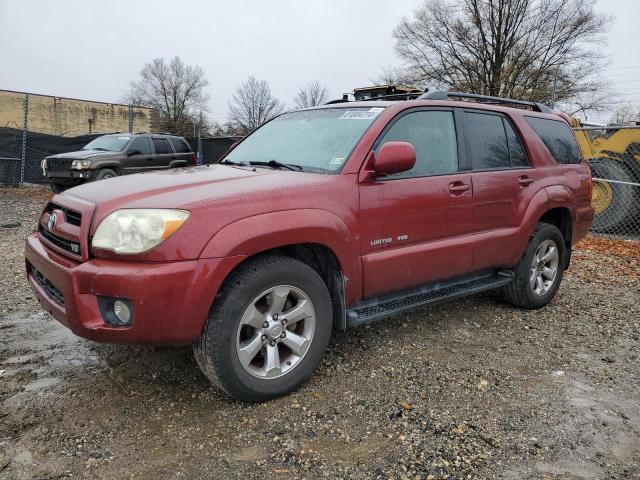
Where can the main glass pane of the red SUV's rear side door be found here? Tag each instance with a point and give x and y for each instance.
(487, 141)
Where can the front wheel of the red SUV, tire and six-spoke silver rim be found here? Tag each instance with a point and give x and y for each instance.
(252, 294)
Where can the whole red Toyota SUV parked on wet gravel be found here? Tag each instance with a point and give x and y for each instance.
(321, 219)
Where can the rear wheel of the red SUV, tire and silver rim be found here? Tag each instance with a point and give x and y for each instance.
(523, 292)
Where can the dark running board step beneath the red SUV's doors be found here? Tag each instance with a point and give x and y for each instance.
(382, 307)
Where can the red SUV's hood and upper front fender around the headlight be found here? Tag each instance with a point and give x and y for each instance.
(215, 196)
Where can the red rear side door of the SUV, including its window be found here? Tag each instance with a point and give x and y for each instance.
(503, 185)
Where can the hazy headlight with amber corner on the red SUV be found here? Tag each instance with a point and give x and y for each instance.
(137, 230)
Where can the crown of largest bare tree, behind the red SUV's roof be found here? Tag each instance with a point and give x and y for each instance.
(512, 48)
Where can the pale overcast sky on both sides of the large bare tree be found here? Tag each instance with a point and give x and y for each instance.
(93, 49)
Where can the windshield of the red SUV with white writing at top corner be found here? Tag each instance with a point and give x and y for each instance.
(313, 139)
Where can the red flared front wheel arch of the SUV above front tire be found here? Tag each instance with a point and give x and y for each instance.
(259, 233)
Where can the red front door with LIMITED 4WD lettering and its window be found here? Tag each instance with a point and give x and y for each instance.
(415, 224)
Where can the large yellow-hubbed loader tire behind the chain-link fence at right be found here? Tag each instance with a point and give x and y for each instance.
(615, 204)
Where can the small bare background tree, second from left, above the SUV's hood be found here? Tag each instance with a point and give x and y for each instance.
(252, 105)
